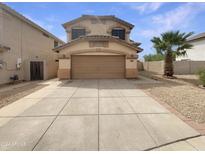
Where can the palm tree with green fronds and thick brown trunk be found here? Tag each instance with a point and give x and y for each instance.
(171, 44)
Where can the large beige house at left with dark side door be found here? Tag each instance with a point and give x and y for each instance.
(25, 48)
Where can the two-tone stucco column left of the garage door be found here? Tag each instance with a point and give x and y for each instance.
(64, 69)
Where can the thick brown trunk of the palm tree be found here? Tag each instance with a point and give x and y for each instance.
(168, 66)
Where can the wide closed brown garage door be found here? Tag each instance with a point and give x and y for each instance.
(95, 67)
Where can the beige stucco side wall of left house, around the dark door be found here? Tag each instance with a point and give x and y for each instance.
(27, 43)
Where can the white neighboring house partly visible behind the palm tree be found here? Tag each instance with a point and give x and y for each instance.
(197, 53)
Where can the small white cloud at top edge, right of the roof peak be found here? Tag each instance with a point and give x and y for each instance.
(146, 7)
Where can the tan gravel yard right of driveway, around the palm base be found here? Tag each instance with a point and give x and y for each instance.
(183, 94)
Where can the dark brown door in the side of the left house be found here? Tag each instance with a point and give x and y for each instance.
(36, 70)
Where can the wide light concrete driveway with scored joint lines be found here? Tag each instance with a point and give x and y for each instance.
(90, 115)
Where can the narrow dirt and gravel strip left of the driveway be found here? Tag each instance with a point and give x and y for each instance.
(10, 94)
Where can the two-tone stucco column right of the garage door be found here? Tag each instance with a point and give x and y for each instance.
(131, 67)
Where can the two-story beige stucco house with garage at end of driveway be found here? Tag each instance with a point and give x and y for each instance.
(98, 47)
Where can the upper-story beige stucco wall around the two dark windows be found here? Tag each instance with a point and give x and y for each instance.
(99, 28)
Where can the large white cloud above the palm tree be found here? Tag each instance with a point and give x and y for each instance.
(178, 18)
